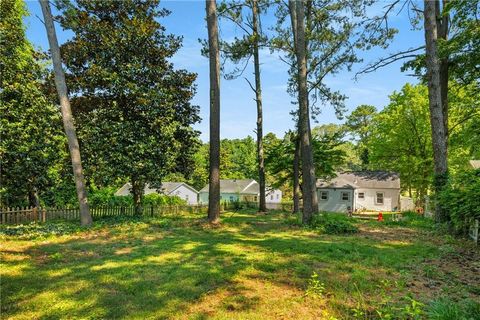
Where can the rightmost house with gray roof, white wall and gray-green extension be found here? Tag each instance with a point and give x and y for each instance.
(361, 190)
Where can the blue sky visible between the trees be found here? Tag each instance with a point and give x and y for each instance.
(238, 109)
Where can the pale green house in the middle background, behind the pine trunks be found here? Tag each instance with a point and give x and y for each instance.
(241, 190)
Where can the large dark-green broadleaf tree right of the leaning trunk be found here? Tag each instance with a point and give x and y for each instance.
(132, 106)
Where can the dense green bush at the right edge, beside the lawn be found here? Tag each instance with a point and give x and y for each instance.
(461, 198)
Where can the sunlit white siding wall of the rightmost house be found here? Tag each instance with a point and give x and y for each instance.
(390, 199)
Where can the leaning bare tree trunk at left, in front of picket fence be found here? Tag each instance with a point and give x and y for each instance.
(68, 123)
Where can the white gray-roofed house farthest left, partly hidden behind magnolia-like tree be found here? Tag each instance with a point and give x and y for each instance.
(179, 189)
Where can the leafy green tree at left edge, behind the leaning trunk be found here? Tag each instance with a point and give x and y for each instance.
(32, 142)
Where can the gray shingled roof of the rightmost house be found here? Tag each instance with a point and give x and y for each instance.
(362, 179)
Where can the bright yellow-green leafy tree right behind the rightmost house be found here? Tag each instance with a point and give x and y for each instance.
(400, 140)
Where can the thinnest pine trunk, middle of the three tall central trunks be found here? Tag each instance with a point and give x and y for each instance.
(258, 98)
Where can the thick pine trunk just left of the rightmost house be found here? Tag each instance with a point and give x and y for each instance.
(310, 204)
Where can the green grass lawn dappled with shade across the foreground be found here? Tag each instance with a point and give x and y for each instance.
(249, 267)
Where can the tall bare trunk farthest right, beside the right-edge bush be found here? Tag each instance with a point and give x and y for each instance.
(435, 103)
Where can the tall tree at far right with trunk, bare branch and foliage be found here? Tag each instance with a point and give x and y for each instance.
(450, 53)
